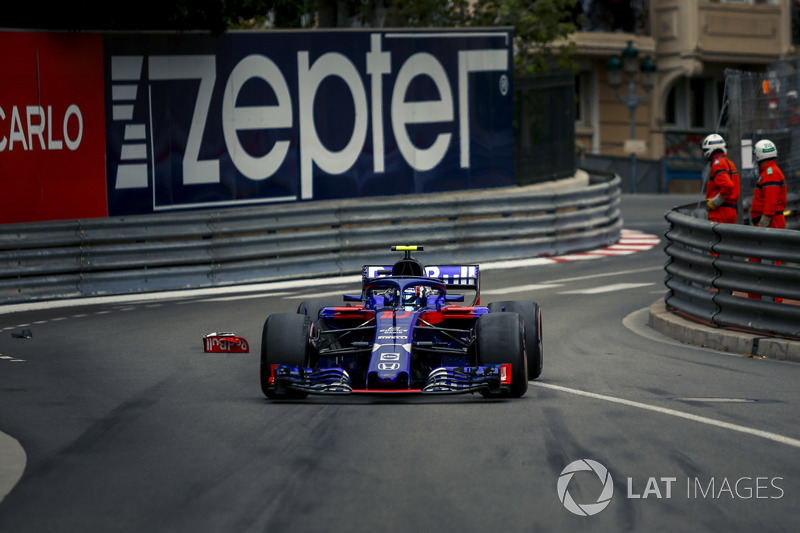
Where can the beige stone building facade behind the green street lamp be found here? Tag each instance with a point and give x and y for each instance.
(693, 42)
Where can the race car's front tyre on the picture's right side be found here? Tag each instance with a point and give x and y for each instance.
(500, 340)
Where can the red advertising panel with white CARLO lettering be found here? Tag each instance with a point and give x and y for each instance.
(52, 128)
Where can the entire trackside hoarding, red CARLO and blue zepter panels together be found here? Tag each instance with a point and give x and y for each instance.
(134, 123)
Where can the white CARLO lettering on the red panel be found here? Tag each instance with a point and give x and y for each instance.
(36, 125)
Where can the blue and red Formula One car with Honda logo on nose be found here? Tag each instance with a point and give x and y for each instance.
(405, 333)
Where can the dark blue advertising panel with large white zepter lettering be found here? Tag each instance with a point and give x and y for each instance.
(252, 117)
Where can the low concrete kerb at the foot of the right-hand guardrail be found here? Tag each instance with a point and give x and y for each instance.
(748, 344)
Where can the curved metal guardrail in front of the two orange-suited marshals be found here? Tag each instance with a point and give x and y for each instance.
(710, 273)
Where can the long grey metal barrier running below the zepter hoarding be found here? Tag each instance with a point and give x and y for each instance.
(221, 247)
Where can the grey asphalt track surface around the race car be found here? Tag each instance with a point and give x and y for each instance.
(128, 426)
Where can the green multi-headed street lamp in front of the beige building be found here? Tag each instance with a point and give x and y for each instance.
(628, 62)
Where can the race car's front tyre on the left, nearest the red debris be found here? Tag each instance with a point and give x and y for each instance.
(284, 341)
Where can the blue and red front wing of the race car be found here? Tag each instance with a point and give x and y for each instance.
(443, 380)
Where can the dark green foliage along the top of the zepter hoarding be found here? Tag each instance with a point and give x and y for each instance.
(541, 27)
